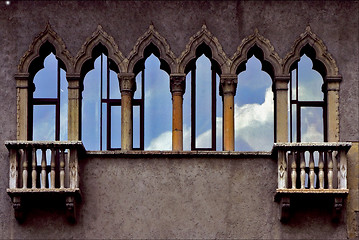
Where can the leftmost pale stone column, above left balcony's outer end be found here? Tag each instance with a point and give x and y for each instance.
(22, 97)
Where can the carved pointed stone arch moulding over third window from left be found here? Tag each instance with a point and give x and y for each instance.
(154, 37)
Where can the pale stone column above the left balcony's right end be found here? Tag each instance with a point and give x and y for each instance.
(74, 106)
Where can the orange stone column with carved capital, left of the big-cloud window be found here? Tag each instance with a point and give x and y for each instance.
(228, 87)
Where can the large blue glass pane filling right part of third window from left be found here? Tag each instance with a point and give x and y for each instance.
(158, 107)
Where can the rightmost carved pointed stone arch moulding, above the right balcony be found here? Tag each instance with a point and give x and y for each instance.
(311, 39)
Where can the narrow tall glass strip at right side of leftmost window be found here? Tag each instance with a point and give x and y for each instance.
(63, 105)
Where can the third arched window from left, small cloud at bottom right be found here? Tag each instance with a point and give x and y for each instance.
(152, 105)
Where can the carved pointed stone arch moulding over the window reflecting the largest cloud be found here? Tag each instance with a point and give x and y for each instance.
(256, 44)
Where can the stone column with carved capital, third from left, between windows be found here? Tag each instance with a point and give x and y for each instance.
(127, 87)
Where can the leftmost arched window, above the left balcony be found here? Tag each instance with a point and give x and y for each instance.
(48, 104)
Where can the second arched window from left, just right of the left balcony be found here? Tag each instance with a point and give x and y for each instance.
(101, 103)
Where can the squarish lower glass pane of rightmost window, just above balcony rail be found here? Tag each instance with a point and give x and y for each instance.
(312, 124)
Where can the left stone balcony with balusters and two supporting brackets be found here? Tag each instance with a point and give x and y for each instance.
(43, 168)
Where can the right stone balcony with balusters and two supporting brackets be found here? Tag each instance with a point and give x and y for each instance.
(311, 168)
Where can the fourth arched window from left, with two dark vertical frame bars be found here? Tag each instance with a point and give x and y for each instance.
(202, 104)
